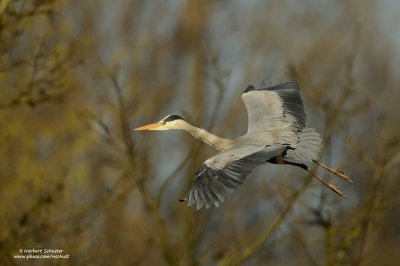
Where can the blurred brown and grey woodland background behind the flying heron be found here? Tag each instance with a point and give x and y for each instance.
(77, 76)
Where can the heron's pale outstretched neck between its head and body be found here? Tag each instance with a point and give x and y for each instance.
(205, 136)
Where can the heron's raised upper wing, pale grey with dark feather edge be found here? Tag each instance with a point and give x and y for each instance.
(274, 107)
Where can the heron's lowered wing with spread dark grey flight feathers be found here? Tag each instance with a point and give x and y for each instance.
(226, 171)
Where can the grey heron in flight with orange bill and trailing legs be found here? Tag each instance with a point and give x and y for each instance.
(276, 134)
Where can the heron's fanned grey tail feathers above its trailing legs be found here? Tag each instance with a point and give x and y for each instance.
(308, 149)
